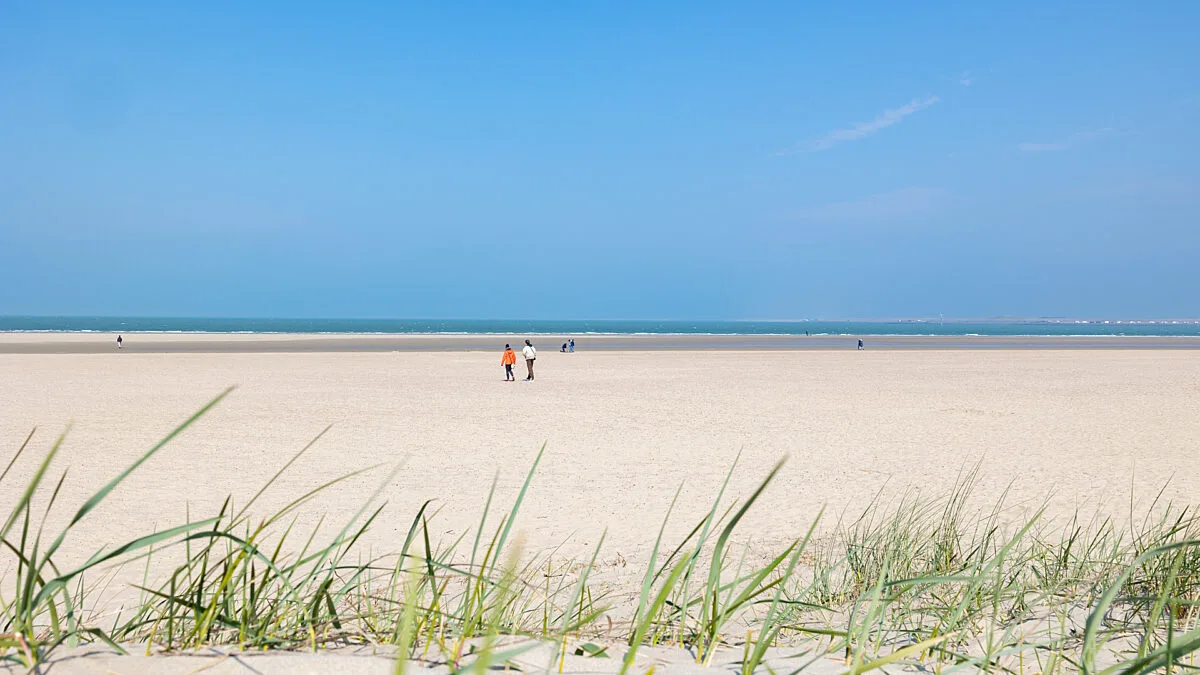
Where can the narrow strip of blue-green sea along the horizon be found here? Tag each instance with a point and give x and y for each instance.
(1000, 327)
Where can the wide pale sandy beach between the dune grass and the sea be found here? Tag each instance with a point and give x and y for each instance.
(1087, 429)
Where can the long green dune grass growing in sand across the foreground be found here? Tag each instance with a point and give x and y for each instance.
(913, 581)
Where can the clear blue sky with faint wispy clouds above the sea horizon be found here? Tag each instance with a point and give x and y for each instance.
(601, 160)
